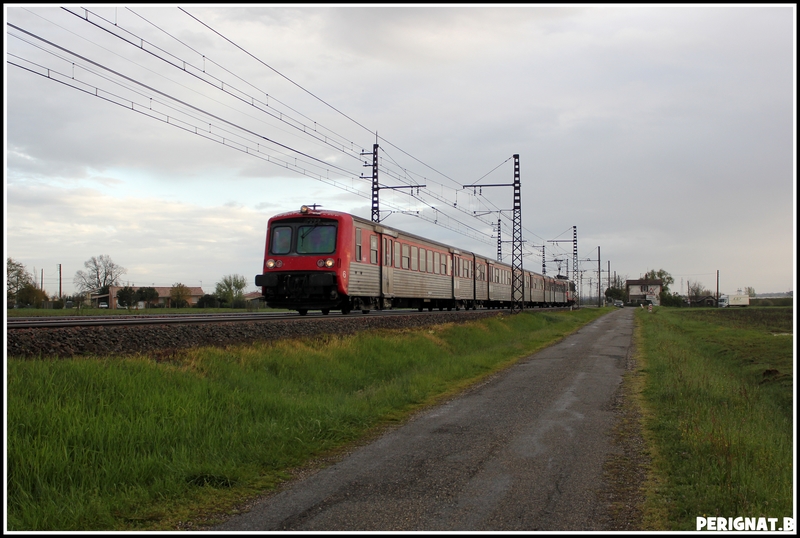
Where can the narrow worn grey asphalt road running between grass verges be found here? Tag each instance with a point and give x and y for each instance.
(522, 451)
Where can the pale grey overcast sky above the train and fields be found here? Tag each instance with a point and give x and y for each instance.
(166, 138)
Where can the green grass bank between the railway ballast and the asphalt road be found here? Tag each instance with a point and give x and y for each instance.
(127, 444)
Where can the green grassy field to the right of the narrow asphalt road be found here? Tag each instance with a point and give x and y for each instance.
(717, 395)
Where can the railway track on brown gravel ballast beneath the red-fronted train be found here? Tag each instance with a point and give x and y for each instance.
(160, 336)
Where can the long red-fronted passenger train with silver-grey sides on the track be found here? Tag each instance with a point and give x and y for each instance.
(329, 260)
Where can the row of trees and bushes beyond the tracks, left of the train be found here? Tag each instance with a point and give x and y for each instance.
(100, 273)
